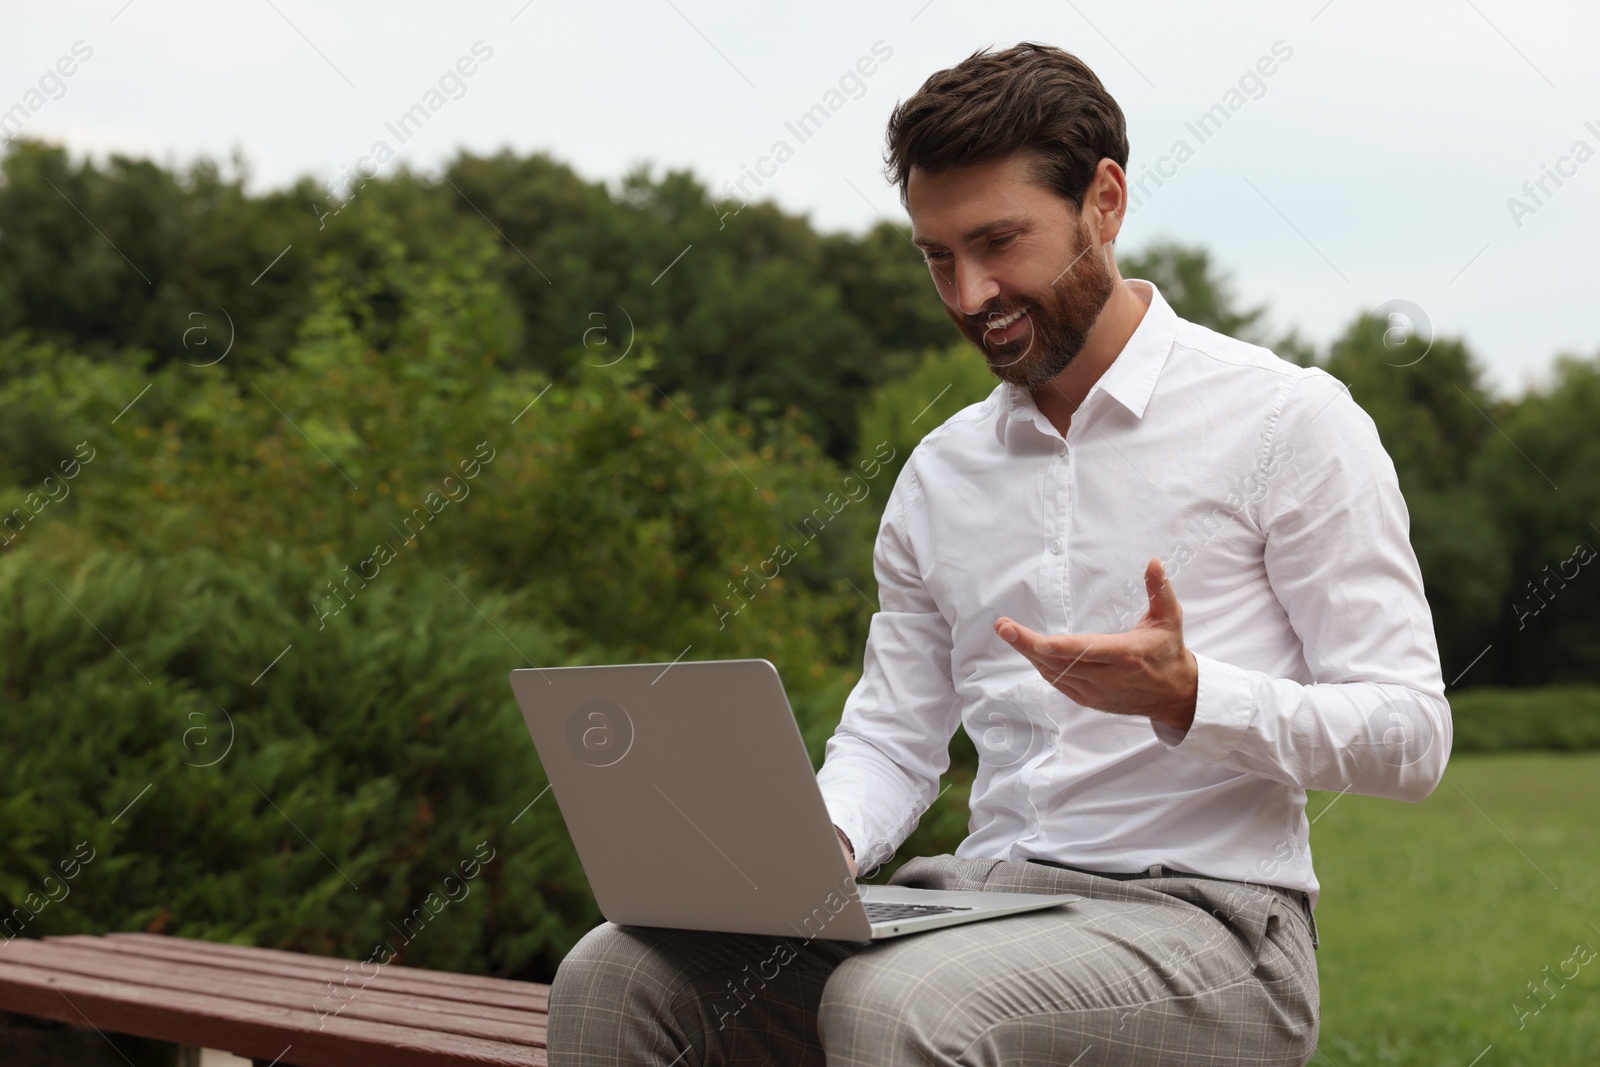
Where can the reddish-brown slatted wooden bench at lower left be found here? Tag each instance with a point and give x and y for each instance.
(274, 1007)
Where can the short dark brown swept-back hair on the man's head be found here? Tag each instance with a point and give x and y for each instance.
(1030, 98)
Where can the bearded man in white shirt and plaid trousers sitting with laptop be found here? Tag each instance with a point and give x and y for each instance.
(1164, 581)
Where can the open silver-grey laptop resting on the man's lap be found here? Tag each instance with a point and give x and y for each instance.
(692, 802)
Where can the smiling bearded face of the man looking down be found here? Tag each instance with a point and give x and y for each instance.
(1015, 265)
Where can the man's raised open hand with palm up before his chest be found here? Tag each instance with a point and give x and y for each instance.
(1143, 673)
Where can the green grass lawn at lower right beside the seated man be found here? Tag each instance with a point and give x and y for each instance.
(1436, 917)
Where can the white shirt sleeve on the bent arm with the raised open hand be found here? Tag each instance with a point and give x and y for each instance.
(1338, 559)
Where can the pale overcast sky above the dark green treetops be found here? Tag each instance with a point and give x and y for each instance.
(1377, 162)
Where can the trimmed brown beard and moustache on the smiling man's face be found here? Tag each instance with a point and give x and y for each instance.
(1058, 326)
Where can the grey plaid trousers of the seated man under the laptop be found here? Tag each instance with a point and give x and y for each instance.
(1172, 970)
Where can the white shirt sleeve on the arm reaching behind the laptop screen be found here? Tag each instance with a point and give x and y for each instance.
(882, 765)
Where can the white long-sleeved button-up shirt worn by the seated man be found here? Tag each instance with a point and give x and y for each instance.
(1266, 494)
